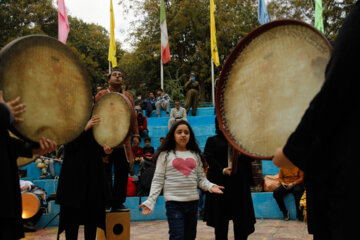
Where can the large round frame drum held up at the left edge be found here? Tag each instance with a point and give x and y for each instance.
(53, 84)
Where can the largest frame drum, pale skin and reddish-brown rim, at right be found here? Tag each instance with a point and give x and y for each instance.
(267, 84)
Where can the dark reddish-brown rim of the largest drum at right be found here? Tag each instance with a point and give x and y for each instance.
(228, 66)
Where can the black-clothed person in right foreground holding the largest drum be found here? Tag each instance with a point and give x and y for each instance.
(325, 143)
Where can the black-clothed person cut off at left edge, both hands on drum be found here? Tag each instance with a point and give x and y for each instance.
(11, 224)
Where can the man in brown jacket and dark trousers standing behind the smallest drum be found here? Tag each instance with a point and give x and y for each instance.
(121, 156)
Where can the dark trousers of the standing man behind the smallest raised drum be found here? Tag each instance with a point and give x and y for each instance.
(121, 171)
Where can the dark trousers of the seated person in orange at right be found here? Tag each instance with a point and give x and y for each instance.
(280, 192)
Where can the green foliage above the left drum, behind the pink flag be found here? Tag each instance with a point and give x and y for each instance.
(88, 41)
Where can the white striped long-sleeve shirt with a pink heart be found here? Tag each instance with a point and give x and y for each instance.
(180, 174)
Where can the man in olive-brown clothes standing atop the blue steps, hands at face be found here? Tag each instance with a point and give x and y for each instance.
(192, 94)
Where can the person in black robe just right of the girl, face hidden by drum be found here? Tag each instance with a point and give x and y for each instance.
(236, 202)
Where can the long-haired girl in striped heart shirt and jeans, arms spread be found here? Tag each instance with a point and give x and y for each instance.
(179, 171)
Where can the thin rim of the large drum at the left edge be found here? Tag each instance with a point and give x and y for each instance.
(76, 61)
